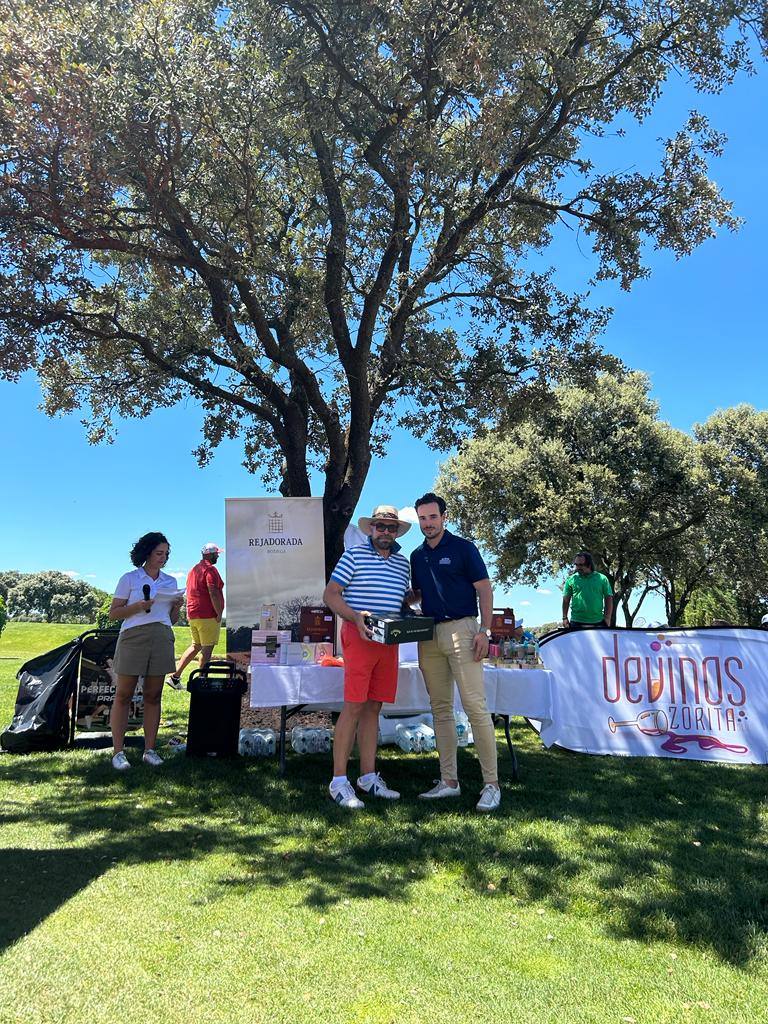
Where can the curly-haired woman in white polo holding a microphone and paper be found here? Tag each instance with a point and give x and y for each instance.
(146, 642)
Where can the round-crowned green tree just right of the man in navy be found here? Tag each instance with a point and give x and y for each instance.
(595, 470)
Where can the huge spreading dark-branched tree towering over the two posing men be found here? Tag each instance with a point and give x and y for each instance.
(274, 207)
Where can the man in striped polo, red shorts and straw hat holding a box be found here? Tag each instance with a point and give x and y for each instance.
(369, 579)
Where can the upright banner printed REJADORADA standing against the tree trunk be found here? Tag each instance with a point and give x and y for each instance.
(276, 564)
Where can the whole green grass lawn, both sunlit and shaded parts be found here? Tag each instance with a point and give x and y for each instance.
(607, 890)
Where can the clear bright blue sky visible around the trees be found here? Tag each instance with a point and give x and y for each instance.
(697, 327)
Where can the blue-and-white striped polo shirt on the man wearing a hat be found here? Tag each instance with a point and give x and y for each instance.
(372, 583)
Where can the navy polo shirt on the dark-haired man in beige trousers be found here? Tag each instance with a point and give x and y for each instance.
(446, 576)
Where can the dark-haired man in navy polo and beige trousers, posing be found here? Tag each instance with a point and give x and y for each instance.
(448, 576)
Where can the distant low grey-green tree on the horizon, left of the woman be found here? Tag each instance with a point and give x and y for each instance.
(54, 598)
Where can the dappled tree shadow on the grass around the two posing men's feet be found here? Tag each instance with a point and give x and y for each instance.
(648, 849)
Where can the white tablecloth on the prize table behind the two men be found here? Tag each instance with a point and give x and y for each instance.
(510, 692)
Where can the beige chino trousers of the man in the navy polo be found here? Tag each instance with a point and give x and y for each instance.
(447, 658)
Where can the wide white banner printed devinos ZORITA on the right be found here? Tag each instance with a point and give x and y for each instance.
(701, 695)
